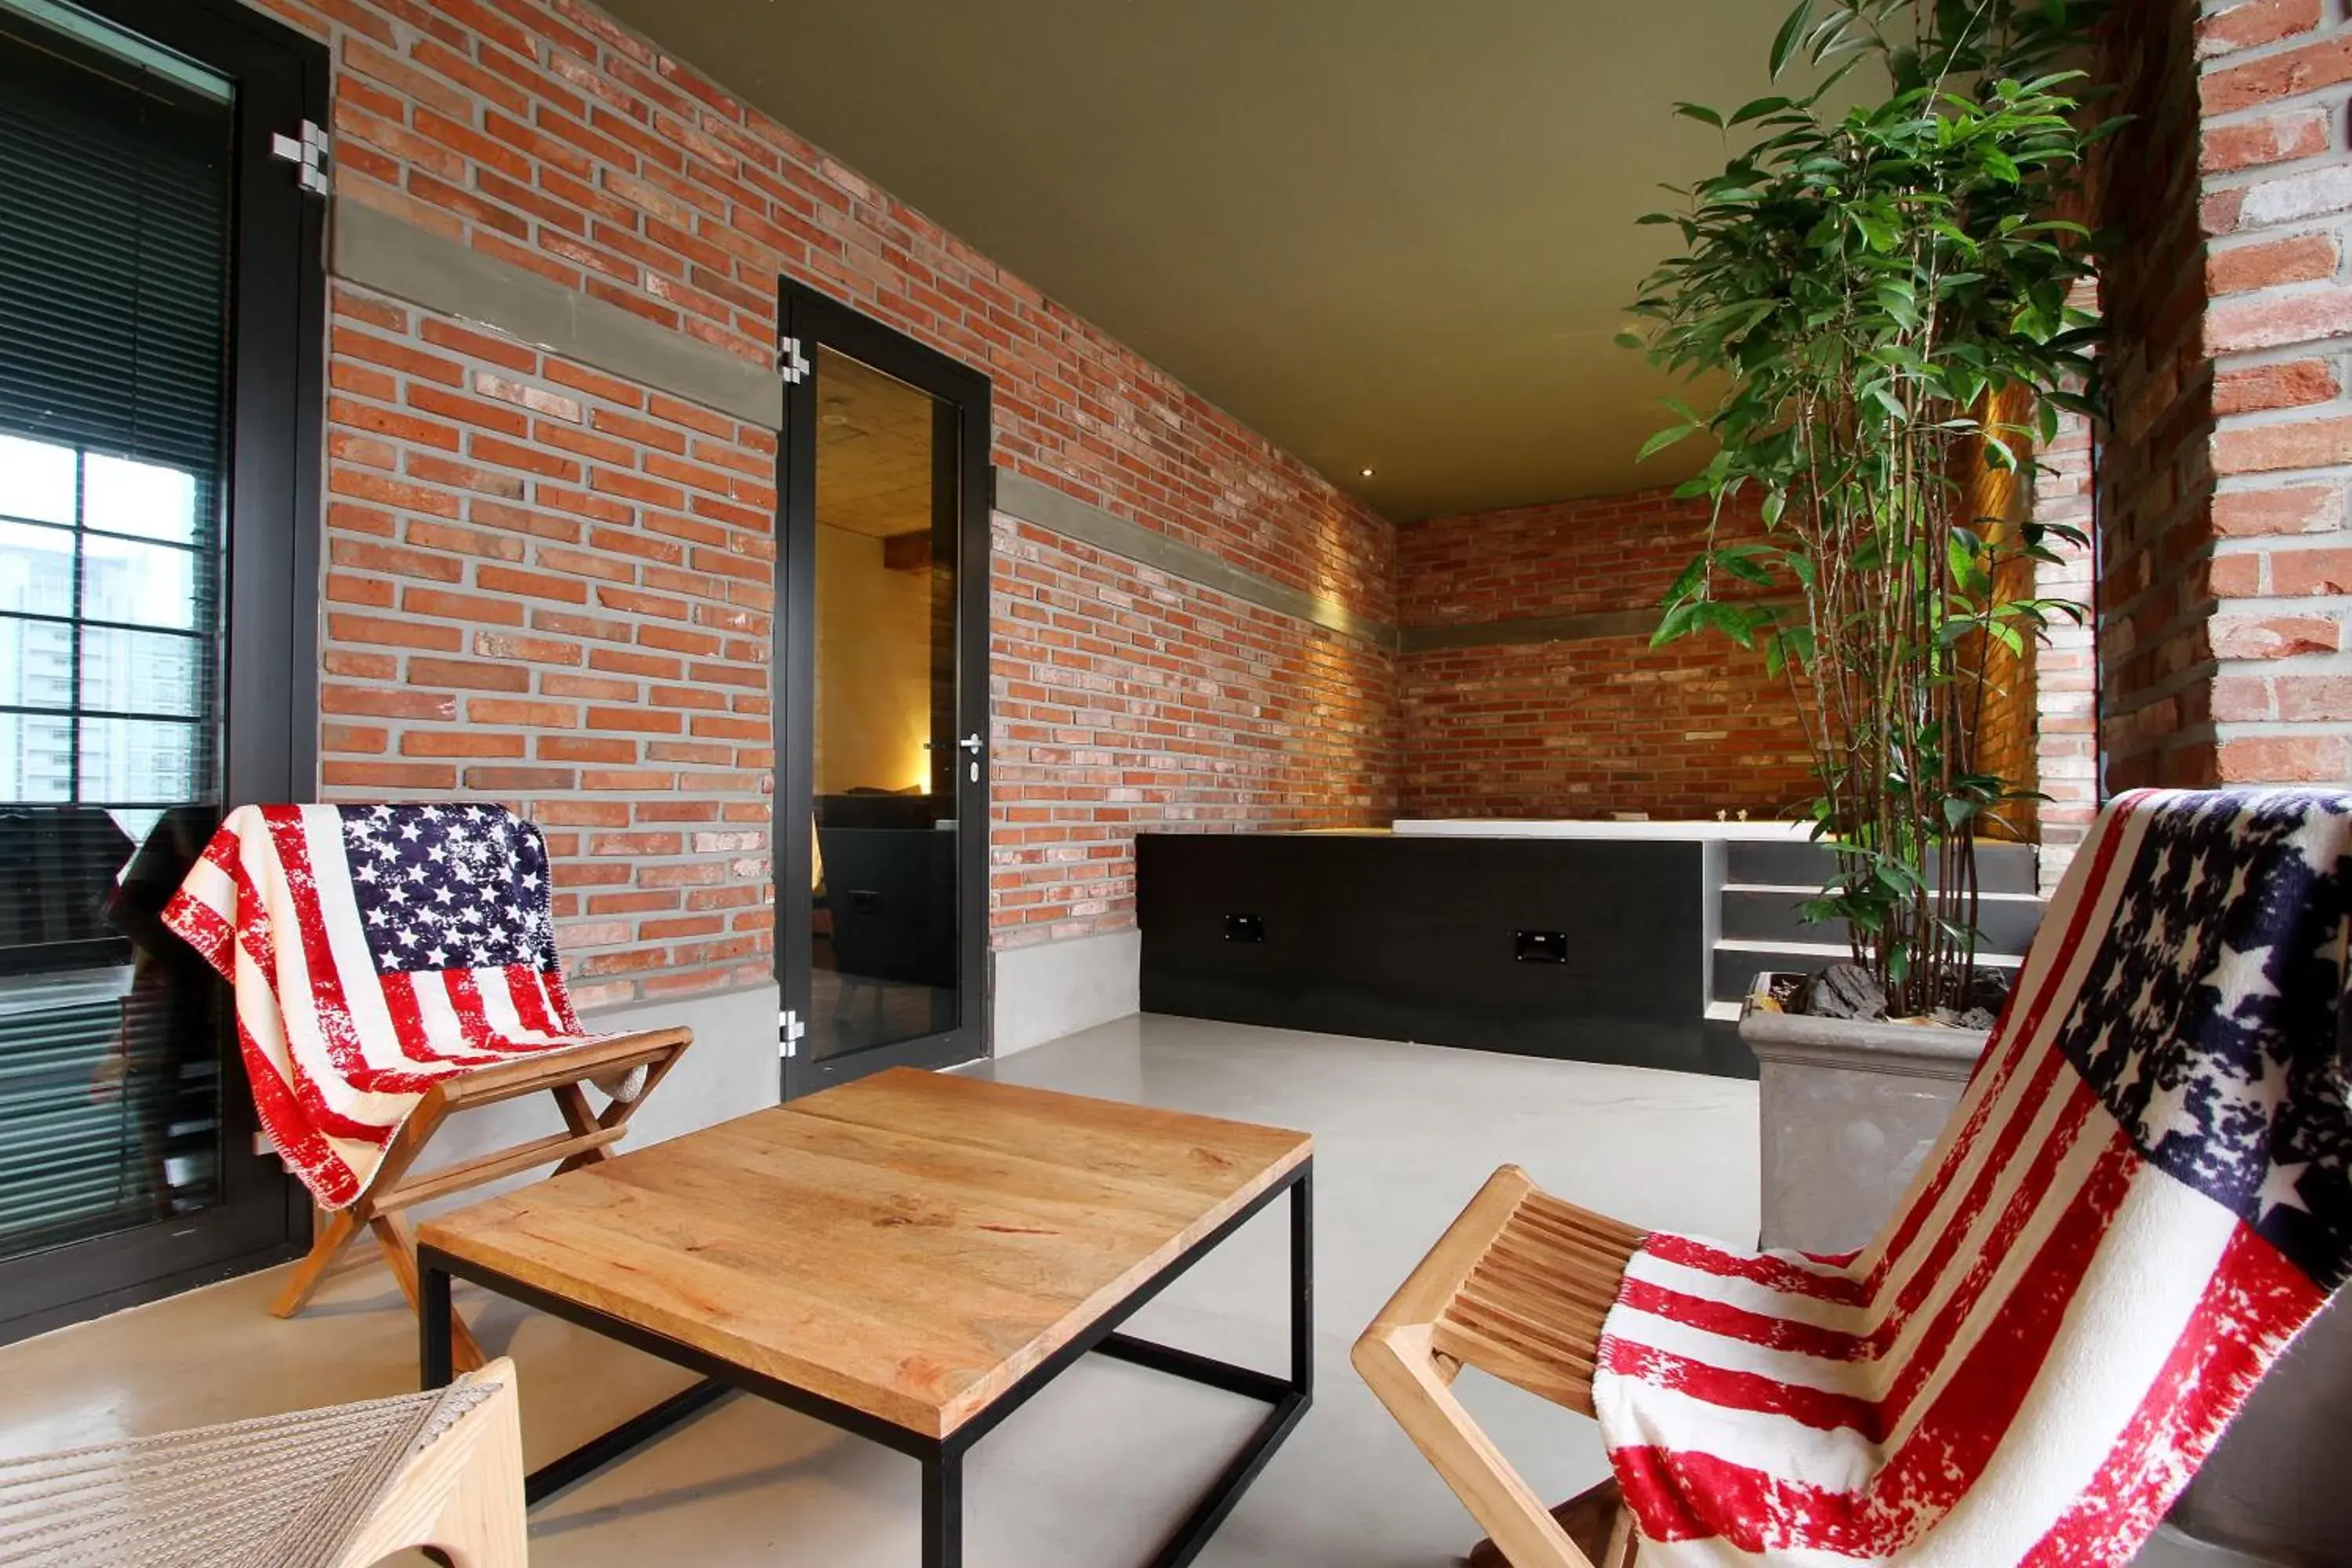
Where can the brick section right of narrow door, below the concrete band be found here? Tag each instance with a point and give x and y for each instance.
(1135, 699)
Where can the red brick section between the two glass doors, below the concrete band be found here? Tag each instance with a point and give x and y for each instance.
(554, 589)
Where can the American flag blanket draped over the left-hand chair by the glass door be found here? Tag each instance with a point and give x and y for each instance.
(373, 951)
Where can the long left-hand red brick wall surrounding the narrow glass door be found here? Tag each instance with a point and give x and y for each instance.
(505, 537)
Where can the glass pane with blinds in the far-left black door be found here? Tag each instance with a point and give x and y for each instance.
(112, 481)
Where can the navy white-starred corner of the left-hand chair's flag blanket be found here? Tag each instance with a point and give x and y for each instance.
(448, 887)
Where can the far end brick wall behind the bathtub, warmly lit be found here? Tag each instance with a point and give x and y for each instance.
(1591, 725)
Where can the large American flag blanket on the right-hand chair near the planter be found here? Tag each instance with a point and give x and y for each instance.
(2141, 1198)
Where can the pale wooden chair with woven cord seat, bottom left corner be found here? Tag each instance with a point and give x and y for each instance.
(319, 1489)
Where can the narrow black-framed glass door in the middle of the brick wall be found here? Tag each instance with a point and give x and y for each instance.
(883, 702)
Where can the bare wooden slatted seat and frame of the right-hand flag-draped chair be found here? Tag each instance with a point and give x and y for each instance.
(1518, 1287)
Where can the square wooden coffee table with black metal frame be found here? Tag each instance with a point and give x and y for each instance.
(909, 1259)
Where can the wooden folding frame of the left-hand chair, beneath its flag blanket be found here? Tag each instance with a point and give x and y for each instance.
(587, 1139)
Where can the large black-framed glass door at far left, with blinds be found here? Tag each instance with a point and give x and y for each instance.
(161, 314)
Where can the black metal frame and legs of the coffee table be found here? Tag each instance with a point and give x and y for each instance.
(942, 1456)
